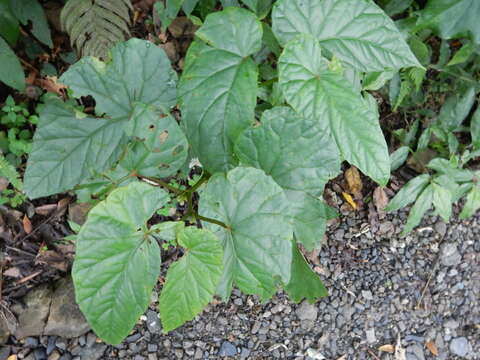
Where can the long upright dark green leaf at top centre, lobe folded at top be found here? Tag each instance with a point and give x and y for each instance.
(219, 85)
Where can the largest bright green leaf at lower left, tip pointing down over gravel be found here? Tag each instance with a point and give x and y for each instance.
(117, 263)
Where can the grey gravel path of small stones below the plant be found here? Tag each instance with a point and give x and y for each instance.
(422, 290)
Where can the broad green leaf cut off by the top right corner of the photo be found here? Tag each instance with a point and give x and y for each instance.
(452, 18)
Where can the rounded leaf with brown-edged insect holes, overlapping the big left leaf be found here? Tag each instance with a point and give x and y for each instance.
(159, 148)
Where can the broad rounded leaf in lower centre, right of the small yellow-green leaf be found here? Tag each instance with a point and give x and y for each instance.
(257, 243)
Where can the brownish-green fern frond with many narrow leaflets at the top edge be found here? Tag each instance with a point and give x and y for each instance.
(95, 26)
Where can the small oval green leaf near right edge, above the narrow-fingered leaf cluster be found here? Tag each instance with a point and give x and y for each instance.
(456, 108)
